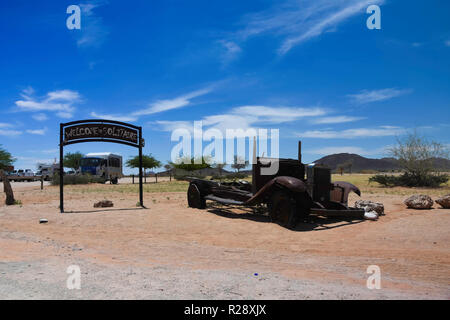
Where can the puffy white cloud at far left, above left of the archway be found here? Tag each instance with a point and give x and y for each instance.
(60, 101)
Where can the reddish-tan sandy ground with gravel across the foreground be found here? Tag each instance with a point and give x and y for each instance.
(170, 251)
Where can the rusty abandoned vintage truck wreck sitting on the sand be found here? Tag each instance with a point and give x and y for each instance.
(294, 192)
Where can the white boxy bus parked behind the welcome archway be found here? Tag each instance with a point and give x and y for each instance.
(105, 165)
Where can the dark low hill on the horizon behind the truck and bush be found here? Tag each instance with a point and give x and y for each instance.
(361, 163)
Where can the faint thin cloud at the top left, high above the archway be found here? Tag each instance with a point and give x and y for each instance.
(93, 32)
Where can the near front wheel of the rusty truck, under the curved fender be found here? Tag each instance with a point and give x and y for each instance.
(283, 209)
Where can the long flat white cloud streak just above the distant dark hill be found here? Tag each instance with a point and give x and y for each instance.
(382, 131)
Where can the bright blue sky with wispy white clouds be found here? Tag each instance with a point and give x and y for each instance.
(312, 69)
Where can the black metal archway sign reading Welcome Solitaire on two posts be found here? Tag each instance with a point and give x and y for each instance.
(99, 131)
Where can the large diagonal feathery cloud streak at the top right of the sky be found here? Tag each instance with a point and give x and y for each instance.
(297, 21)
